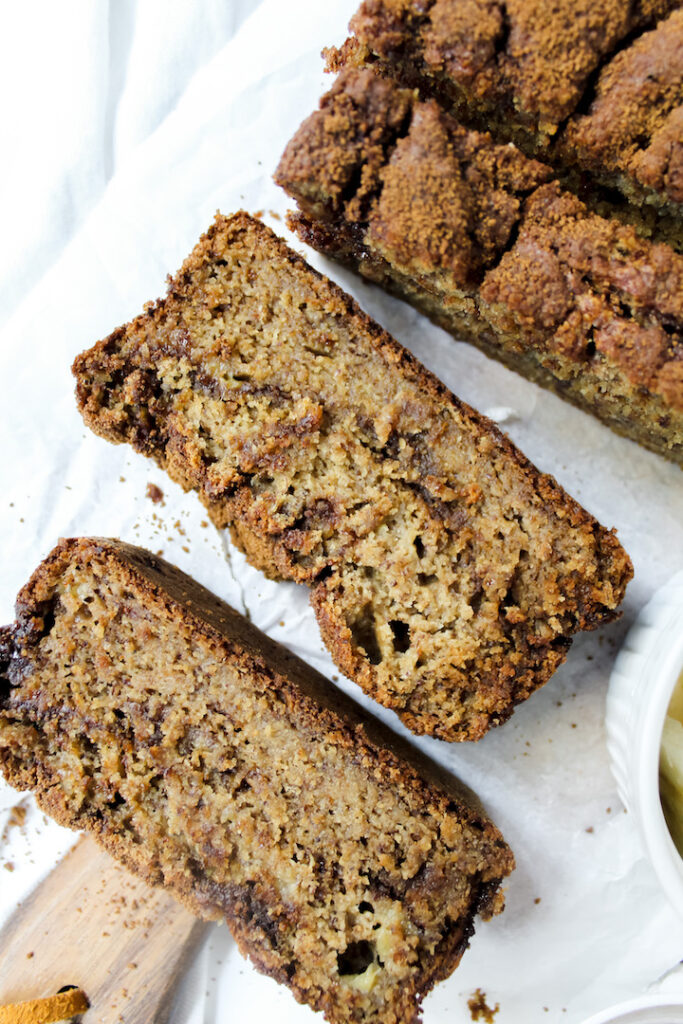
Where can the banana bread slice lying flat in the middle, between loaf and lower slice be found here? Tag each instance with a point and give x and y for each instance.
(447, 574)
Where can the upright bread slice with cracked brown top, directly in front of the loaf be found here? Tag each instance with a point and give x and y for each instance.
(476, 236)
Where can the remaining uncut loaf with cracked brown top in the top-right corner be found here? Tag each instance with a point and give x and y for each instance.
(529, 72)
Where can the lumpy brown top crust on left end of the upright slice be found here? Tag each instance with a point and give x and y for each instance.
(442, 198)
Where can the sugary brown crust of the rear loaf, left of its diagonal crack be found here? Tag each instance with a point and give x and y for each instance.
(521, 55)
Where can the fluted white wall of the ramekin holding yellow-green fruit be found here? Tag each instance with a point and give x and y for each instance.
(643, 681)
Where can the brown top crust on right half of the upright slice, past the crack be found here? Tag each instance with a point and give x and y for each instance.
(584, 271)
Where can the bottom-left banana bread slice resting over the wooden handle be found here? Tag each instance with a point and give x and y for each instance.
(208, 760)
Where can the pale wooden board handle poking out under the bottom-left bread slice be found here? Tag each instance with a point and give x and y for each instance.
(94, 925)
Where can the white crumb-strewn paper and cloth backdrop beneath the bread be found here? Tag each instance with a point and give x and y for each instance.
(196, 104)
